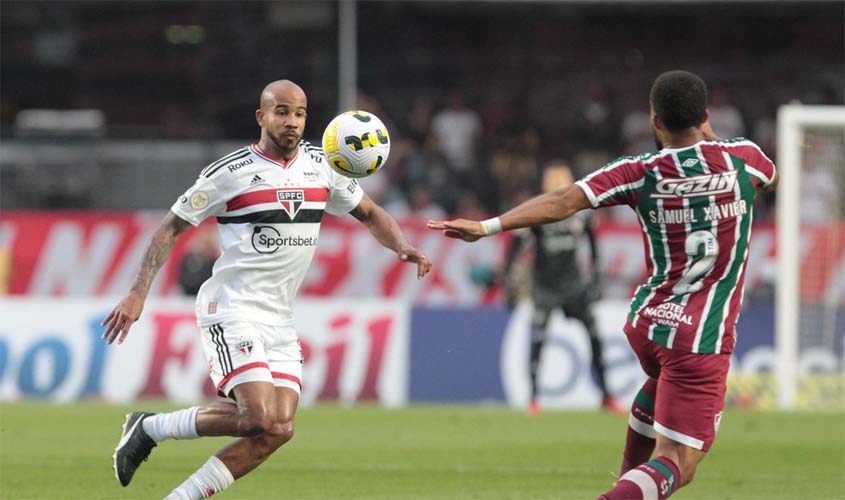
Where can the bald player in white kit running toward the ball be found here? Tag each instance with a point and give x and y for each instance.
(268, 199)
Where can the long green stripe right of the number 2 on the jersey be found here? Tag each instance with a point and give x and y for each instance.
(711, 332)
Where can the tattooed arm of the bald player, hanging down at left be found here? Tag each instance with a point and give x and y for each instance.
(128, 310)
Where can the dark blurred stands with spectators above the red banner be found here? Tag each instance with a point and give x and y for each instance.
(474, 114)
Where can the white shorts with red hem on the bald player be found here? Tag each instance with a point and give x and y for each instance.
(242, 351)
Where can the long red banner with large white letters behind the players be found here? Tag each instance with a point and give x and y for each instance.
(98, 254)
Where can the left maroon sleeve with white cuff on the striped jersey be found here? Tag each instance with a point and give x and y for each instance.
(617, 183)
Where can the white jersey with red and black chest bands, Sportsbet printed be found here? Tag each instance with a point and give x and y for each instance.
(268, 214)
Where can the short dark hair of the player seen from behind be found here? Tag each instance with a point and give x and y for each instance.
(679, 99)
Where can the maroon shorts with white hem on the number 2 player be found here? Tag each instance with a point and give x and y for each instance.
(690, 391)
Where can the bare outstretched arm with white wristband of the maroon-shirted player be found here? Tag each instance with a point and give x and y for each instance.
(549, 207)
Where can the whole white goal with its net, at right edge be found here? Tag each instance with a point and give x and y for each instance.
(810, 283)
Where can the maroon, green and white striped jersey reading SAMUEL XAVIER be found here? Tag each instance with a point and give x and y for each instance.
(695, 207)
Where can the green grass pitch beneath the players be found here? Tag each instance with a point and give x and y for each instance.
(424, 452)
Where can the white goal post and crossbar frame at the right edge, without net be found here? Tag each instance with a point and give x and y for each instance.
(794, 123)
